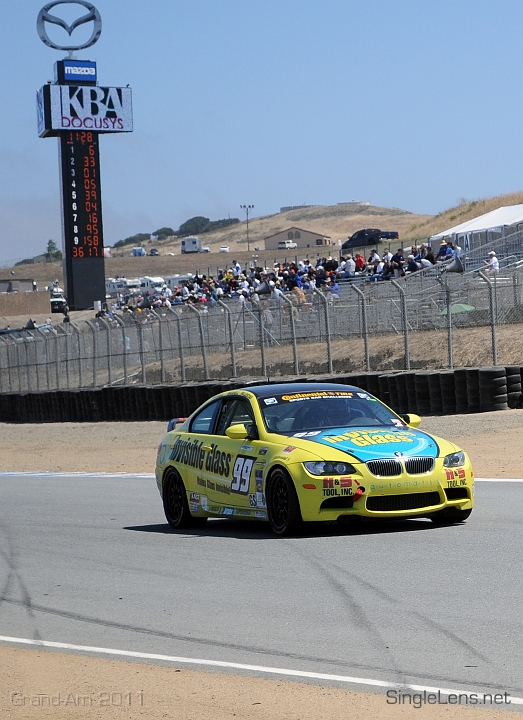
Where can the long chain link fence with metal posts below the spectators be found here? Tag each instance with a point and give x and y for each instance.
(369, 326)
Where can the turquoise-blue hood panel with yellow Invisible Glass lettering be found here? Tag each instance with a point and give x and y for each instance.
(366, 443)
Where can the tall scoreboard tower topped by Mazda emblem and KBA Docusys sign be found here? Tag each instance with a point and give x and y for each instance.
(77, 110)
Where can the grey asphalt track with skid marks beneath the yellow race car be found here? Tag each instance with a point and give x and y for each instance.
(90, 561)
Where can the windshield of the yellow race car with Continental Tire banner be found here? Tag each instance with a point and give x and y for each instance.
(298, 414)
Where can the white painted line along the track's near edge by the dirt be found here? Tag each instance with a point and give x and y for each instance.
(251, 668)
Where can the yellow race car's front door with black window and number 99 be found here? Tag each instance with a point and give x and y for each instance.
(230, 466)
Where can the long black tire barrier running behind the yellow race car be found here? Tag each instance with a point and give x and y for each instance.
(462, 390)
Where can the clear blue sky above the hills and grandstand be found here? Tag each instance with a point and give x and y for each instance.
(406, 104)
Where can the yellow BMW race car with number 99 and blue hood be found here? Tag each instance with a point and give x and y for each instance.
(308, 452)
